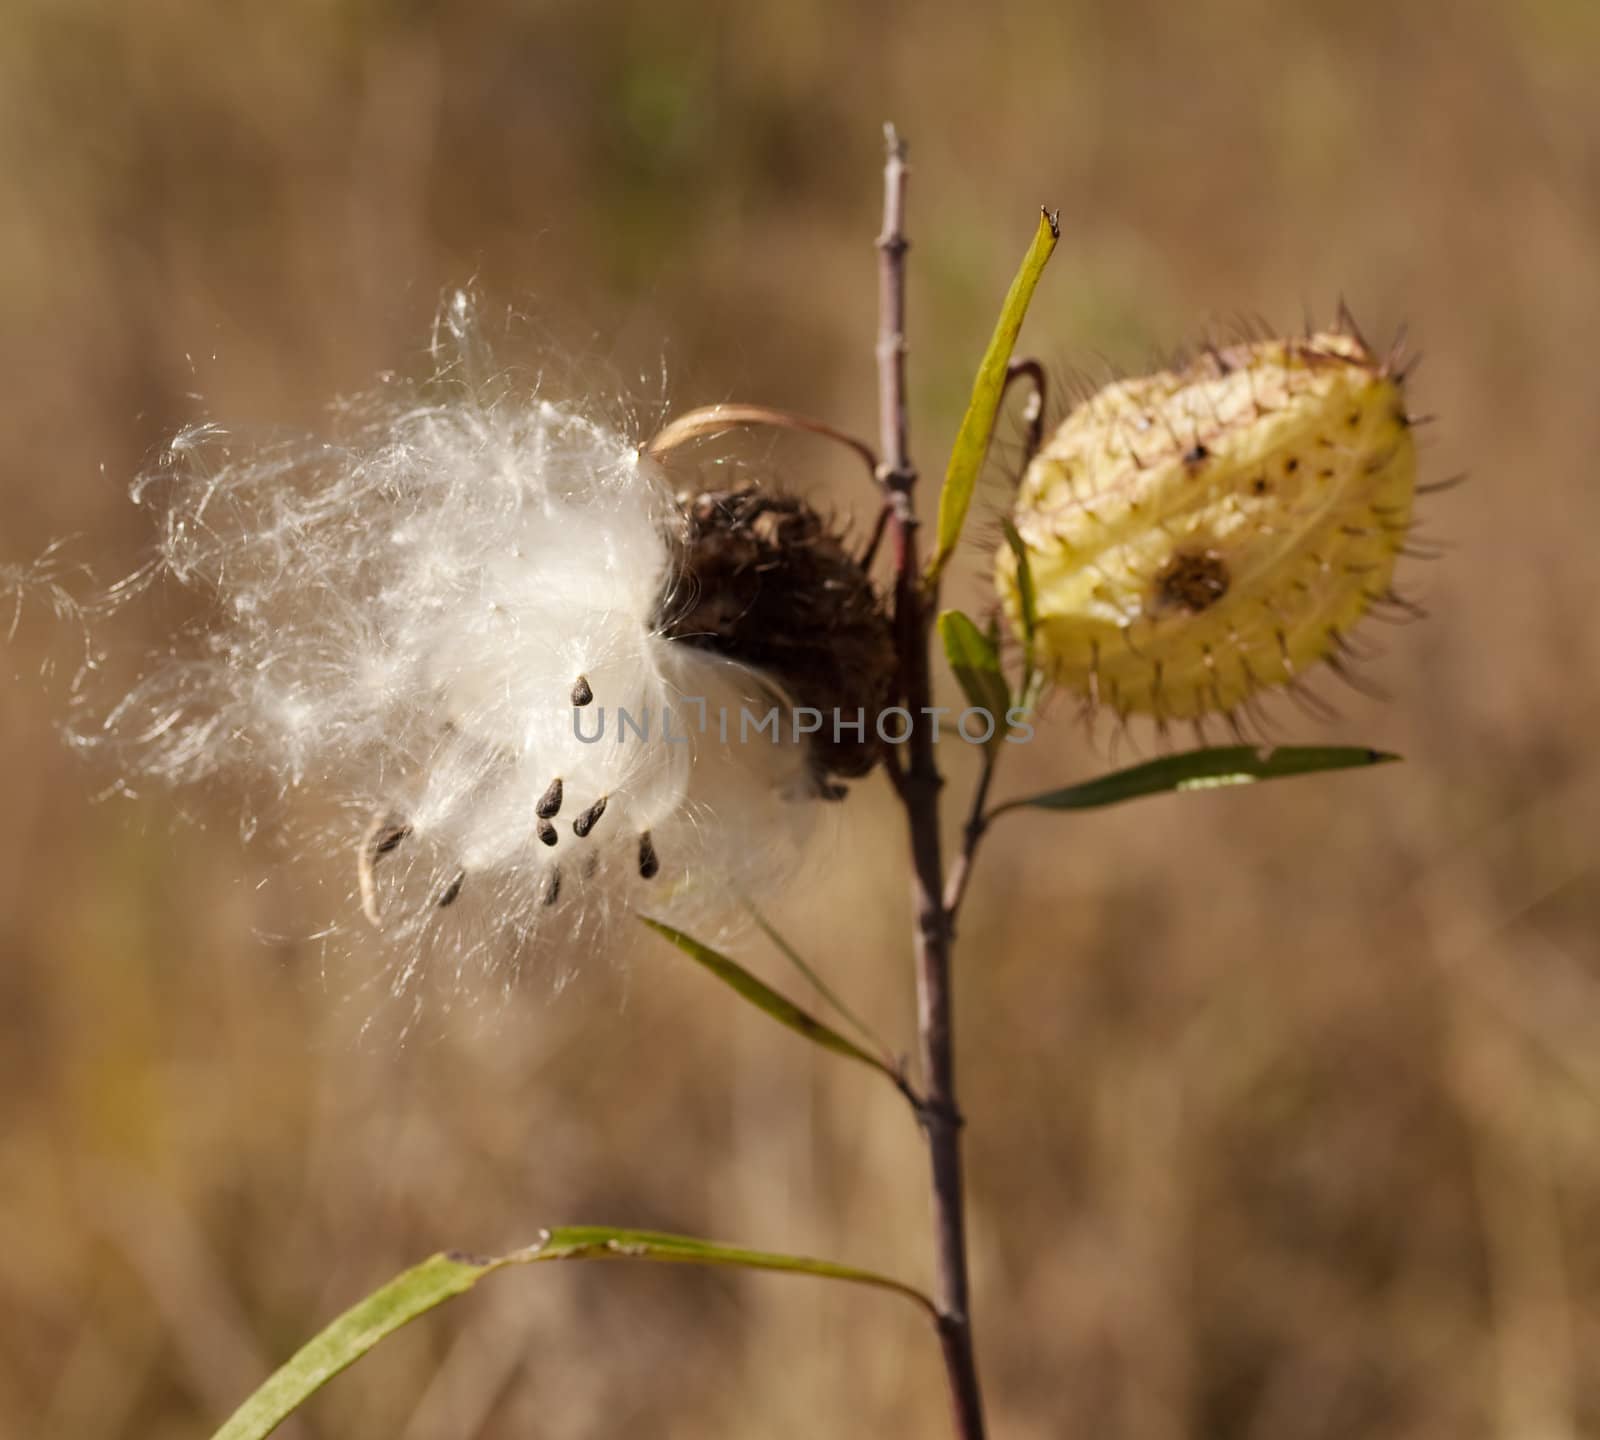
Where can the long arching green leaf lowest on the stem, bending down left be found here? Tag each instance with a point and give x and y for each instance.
(446, 1276)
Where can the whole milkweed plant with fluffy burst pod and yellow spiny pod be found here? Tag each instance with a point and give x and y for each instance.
(537, 697)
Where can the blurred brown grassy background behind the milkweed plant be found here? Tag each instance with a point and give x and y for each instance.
(1286, 1105)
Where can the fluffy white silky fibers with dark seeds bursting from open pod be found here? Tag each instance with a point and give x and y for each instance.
(447, 626)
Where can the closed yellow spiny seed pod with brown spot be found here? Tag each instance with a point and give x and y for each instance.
(1201, 535)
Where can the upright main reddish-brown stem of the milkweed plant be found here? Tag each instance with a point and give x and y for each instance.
(918, 785)
